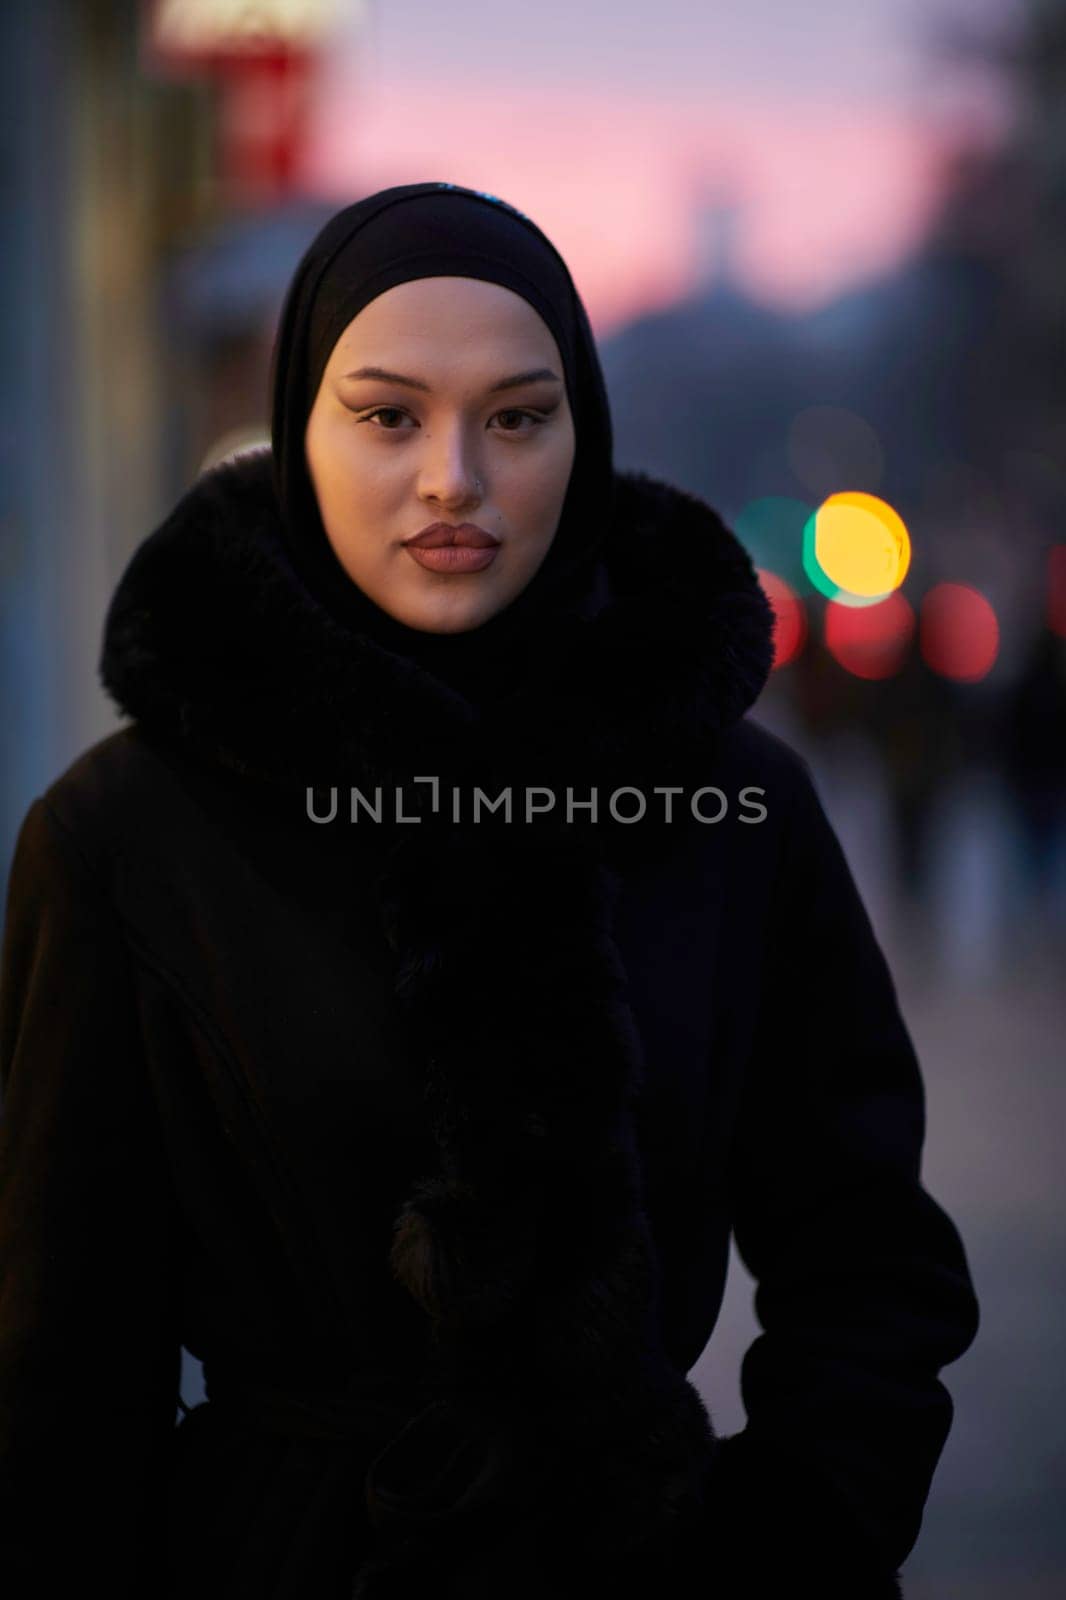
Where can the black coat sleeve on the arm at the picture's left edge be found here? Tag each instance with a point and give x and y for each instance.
(90, 1351)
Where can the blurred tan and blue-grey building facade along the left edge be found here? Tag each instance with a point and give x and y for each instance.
(106, 170)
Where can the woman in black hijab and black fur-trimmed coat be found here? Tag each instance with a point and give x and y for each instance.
(406, 1006)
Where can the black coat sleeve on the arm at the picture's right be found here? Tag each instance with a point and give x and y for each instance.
(864, 1290)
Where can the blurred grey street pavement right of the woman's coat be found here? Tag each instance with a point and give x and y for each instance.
(985, 1009)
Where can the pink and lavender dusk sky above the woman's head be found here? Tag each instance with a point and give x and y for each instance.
(614, 124)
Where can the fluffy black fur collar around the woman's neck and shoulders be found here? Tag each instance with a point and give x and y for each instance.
(210, 638)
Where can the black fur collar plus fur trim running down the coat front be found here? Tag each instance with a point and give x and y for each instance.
(559, 1425)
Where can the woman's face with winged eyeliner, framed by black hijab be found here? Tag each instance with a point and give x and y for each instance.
(447, 436)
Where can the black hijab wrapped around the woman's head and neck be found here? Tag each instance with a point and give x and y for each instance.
(419, 231)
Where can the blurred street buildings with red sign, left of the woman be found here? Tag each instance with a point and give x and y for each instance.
(154, 218)
